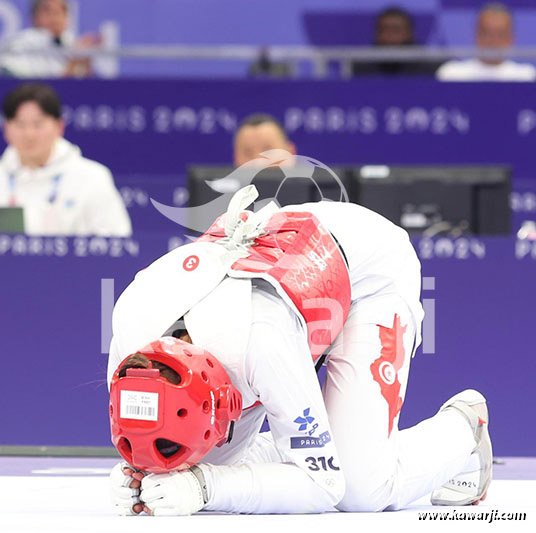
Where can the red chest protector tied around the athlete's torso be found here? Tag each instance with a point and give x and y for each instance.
(298, 255)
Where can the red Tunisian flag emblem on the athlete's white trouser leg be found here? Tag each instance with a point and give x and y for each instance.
(385, 368)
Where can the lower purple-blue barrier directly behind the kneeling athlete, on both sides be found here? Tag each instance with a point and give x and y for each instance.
(54, 391)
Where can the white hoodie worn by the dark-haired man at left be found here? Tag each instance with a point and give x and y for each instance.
(69, 195)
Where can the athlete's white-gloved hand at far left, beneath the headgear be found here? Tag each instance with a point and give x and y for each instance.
(125, 484)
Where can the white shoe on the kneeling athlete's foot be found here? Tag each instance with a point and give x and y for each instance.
(470, 486)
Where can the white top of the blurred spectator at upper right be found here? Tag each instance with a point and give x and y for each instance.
(476, 70)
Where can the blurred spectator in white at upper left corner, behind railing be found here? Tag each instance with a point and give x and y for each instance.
(50, 34)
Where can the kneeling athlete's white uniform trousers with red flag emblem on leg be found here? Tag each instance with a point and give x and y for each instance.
(367, 374)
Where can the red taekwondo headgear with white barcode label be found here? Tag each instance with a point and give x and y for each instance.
(158, 426)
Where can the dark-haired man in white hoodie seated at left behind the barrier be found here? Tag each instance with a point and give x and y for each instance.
(61, 192)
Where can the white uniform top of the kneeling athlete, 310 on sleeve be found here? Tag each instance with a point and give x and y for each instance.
(276, 366)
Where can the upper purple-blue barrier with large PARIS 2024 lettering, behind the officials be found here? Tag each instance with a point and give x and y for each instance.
(159, 127)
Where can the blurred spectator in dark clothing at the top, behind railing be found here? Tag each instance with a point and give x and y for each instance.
(394, 27)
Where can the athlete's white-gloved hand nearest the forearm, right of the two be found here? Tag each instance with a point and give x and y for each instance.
(176, 493)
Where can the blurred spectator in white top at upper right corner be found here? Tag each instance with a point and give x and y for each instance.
(494, 30)
